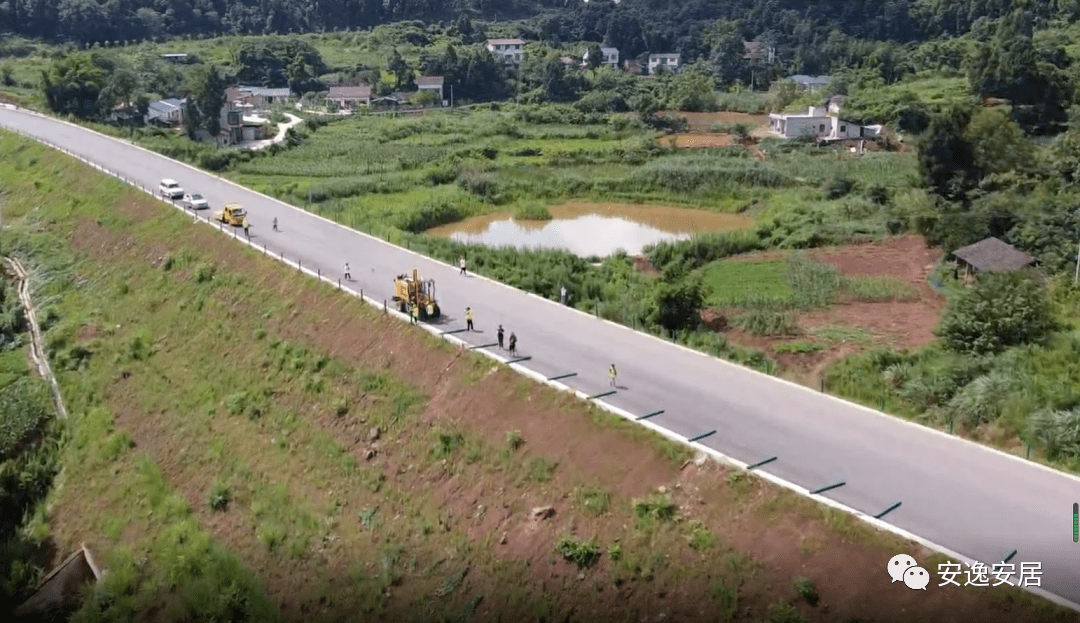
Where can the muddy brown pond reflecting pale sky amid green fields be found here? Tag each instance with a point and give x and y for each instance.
(592, 229)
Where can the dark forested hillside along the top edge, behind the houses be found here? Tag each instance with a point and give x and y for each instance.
(634, 25)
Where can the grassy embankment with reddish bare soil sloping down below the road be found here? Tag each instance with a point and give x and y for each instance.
(247, 444)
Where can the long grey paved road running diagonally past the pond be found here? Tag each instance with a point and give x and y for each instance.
(975, 502)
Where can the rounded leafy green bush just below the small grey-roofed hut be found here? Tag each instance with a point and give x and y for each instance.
(1000, 311)
